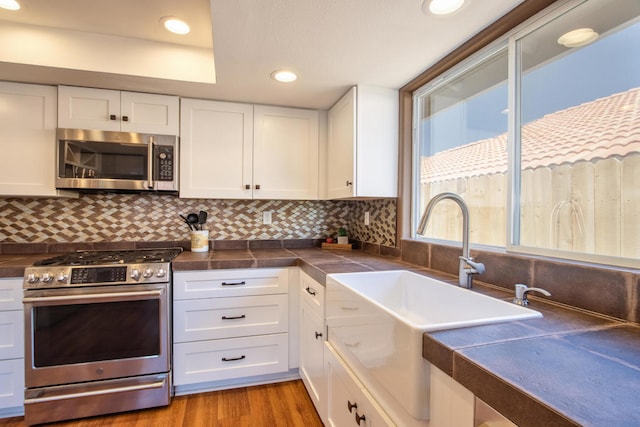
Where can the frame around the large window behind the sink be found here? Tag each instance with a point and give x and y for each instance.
(430, 81)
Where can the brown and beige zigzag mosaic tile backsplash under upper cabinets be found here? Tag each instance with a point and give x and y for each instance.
(150, 217)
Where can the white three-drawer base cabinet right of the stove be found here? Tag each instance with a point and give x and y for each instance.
(230, 327)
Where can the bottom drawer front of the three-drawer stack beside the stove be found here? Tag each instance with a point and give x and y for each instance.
(217, 360)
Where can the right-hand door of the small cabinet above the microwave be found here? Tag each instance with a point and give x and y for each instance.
(149, 113)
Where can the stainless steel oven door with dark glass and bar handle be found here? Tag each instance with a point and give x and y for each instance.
(95, 333)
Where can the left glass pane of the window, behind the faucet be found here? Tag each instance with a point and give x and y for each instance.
(461, 132)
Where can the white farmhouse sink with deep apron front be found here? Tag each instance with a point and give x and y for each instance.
(376, 321)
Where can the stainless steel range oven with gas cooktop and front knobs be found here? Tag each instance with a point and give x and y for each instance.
(97, 333)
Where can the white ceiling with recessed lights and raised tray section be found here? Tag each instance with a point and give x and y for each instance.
(331, 44)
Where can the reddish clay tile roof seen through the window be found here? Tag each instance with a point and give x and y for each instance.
(599, 129)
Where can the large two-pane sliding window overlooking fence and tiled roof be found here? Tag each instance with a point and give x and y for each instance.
(564, 180)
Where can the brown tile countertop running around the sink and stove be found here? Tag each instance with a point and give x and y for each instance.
(568, 368)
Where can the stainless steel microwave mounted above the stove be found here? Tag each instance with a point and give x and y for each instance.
(116, 161)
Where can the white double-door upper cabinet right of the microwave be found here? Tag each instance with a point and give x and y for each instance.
(238, 151)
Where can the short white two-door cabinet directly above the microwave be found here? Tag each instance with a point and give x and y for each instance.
(112, 110)
